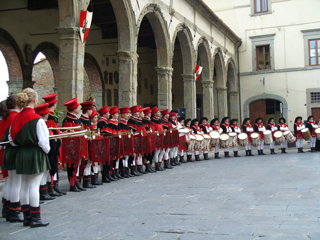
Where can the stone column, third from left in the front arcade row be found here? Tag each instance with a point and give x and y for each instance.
(164, 87)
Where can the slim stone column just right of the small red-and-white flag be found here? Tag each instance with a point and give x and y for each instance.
(208, 102)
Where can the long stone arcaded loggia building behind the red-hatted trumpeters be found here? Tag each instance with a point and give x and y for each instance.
(137, 52)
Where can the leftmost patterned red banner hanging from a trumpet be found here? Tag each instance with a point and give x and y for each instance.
(70, 150)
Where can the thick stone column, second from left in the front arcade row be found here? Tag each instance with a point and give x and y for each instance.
(128, 62)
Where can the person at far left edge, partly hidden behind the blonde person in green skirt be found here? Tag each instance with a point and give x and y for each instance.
(11, 190)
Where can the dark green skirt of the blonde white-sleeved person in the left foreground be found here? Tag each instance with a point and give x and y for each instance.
(31, 160)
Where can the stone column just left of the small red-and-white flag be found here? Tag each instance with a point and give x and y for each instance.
(190, 97)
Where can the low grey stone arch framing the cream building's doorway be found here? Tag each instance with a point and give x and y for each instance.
(246, 104)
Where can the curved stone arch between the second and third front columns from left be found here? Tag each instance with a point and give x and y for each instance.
(159, 26)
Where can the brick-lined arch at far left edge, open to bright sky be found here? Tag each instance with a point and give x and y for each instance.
(12, 55)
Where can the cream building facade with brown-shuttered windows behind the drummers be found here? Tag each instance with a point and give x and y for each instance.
(279, 56)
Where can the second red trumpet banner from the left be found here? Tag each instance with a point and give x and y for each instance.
(100, 150)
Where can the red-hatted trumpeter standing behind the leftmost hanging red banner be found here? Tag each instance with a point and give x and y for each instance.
(71, 120)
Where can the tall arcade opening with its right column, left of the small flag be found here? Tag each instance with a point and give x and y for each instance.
(183, 84)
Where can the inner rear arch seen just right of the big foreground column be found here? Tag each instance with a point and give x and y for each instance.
(94, 73)
